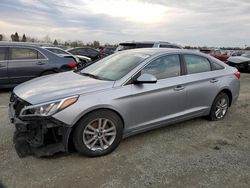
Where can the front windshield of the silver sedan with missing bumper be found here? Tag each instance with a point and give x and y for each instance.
(115, 67)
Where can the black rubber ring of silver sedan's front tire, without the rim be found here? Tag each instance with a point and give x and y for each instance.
(80, 126)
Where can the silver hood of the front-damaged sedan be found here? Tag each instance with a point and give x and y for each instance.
(60, 85)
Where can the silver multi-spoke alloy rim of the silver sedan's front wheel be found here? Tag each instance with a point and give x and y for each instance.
(99, 134)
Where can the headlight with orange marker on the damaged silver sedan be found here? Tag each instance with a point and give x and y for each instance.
(47, 109)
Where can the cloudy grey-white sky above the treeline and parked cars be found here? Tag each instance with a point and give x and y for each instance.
(186, 22)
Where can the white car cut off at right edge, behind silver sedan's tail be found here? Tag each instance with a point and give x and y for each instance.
(242, 63)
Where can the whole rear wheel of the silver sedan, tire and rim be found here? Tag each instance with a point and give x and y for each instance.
(220, 107)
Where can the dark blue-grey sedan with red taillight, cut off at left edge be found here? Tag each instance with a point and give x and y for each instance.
(20, 62)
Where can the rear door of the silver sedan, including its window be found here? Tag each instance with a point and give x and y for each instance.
(201, 83)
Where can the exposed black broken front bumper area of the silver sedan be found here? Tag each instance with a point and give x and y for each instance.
(41, 136)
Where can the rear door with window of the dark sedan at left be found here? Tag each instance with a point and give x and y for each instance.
(24, 64)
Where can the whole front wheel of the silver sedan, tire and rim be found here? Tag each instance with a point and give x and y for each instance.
(98, 133)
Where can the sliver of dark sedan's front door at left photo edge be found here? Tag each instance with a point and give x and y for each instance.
(3, 66)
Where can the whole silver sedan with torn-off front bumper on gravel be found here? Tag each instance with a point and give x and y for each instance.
(121, 95)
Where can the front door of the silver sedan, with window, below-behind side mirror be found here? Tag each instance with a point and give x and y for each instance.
(155, 103)
